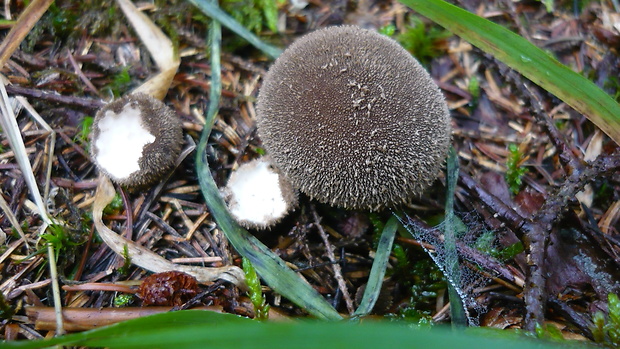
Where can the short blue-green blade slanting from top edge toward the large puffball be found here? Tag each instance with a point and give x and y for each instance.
(212, 10)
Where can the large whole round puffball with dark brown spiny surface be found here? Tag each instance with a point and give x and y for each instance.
(353, 120)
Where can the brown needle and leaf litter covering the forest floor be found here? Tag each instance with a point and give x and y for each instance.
(491, 111)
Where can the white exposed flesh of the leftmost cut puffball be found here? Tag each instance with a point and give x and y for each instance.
(121, 140)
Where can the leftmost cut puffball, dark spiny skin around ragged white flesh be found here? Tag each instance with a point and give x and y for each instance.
(136, 140)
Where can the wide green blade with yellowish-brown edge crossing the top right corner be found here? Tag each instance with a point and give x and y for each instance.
(524, 57)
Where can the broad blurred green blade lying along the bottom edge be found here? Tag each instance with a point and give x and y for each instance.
(203, 329)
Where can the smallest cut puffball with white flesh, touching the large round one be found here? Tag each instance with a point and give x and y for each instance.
(257, 196)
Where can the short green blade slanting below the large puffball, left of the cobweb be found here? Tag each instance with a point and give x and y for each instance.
(377, 272)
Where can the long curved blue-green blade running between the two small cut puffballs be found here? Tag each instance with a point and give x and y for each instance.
(271, 268)
